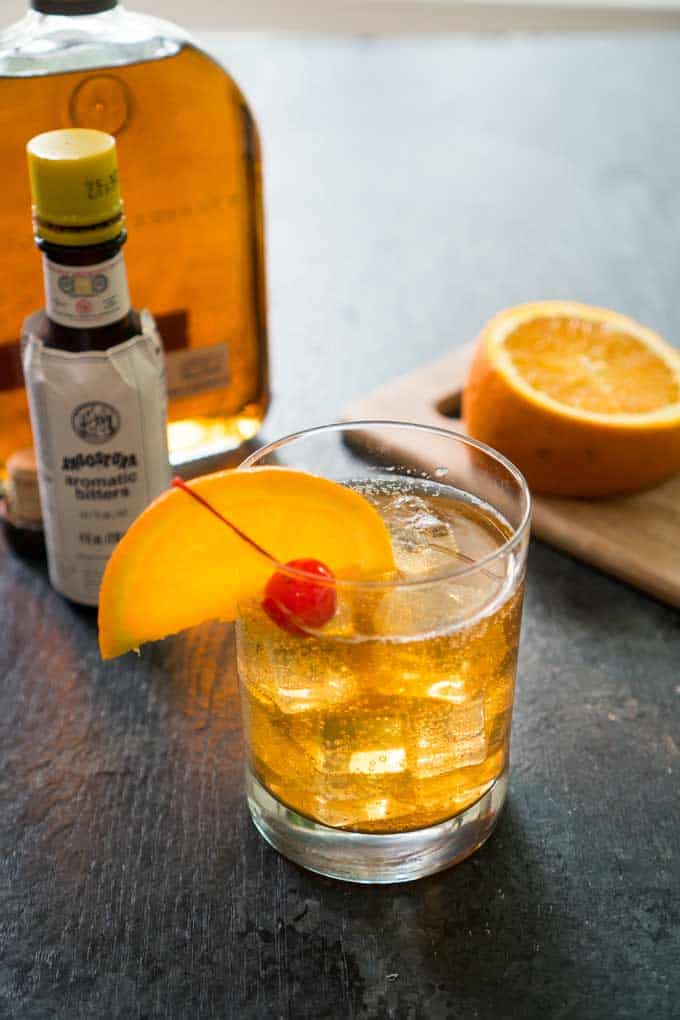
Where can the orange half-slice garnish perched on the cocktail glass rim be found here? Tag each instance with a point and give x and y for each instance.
(178, 566)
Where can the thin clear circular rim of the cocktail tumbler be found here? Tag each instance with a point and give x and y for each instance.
(449, 434)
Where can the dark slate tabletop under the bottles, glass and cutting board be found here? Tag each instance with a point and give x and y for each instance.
(414, 187)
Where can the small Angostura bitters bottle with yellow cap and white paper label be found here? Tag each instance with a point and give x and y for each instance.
(93, 367)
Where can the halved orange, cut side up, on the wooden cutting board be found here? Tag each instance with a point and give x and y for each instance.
(586, 401)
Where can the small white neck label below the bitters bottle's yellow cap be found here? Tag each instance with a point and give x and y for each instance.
(87, 296)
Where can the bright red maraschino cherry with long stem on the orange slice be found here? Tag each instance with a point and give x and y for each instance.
(293, 603)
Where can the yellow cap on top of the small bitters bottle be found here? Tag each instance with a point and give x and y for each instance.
(75, 186)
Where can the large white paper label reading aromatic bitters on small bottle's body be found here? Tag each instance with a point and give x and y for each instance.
(99, 423)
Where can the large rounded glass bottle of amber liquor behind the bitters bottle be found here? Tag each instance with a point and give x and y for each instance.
(193, 203)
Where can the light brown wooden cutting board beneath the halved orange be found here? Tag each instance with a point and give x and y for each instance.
(634, 538)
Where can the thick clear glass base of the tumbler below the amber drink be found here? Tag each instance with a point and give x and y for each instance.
(359, 857)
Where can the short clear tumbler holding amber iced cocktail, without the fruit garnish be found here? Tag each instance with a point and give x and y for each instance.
(378, 746)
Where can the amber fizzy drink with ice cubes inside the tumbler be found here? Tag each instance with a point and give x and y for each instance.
(397, 715)
